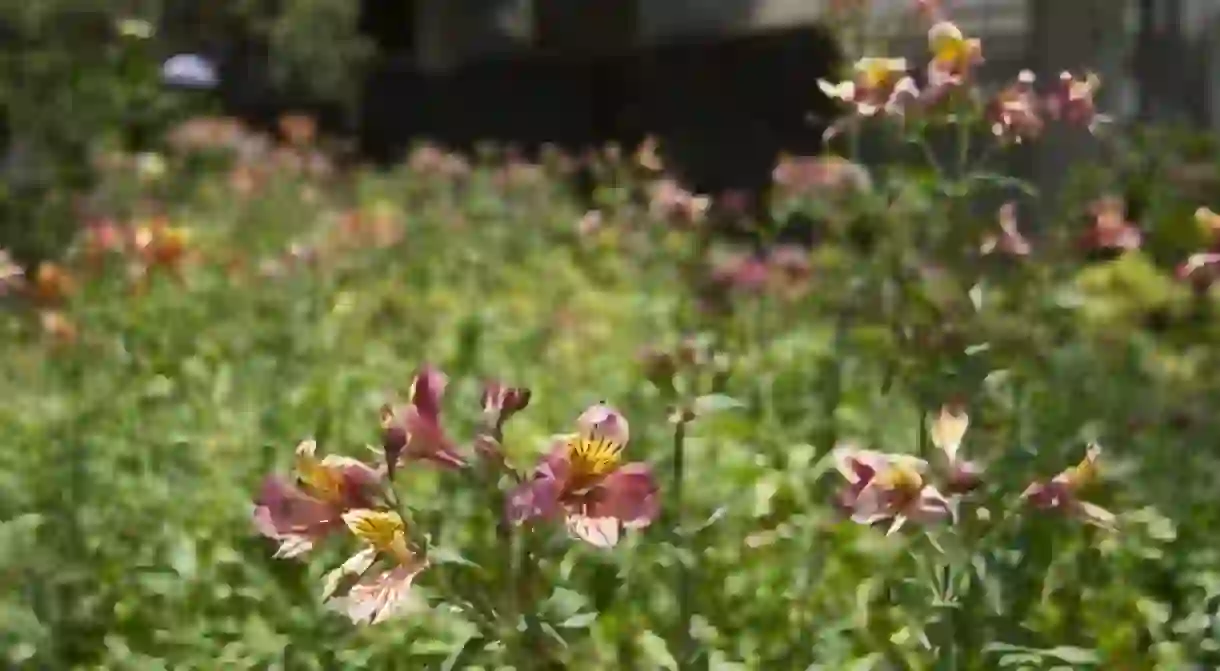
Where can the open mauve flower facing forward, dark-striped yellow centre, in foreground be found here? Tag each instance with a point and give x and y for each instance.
(585, 481)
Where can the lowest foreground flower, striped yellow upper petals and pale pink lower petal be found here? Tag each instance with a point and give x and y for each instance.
(369, 596)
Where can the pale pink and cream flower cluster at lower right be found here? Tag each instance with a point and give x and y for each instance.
(894, 490)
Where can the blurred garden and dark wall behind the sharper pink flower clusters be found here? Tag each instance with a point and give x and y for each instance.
(231, 226)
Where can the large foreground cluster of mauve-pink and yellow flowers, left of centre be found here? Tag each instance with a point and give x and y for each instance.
(581, 483)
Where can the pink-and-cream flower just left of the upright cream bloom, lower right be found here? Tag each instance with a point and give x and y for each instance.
(888, 489)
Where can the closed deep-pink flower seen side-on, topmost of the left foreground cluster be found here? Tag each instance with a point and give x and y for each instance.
(413, 431)
